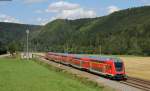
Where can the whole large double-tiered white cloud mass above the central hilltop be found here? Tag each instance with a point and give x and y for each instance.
(66, 10)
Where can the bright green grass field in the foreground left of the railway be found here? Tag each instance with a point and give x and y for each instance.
(17, 75)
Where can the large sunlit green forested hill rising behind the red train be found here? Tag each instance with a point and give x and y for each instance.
(123, 32)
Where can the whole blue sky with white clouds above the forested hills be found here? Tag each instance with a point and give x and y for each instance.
(44, 11)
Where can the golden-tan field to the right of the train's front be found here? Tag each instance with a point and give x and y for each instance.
(137, 66)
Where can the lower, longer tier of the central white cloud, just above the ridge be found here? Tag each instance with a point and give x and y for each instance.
(69, 14)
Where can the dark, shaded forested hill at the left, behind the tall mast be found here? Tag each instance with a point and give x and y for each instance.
(14, 33)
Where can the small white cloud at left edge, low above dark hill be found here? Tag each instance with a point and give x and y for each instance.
(6, 18)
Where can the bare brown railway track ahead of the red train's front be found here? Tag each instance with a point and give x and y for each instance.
(137, 83)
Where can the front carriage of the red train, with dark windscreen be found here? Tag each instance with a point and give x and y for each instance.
(110, 67)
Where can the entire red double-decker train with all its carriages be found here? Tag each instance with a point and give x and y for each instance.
(112, 68)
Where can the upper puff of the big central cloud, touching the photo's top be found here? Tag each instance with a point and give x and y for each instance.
(61, 5)
